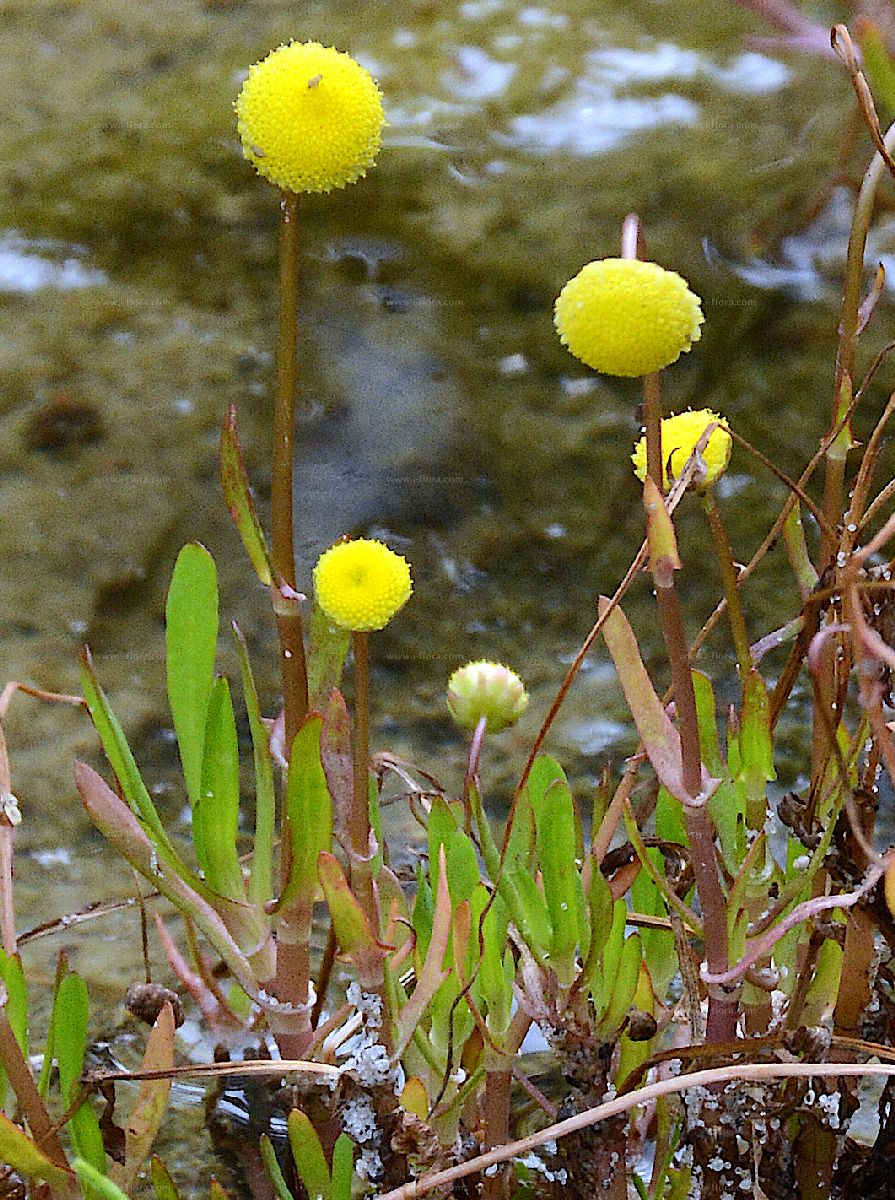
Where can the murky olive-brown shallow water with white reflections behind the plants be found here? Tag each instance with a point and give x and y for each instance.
(137, 289)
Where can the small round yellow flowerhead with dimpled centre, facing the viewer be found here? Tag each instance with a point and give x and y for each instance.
(362, 585)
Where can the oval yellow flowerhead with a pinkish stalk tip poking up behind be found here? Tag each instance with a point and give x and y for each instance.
(626, 317)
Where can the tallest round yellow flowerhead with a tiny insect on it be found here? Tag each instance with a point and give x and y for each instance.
(310, 118)
